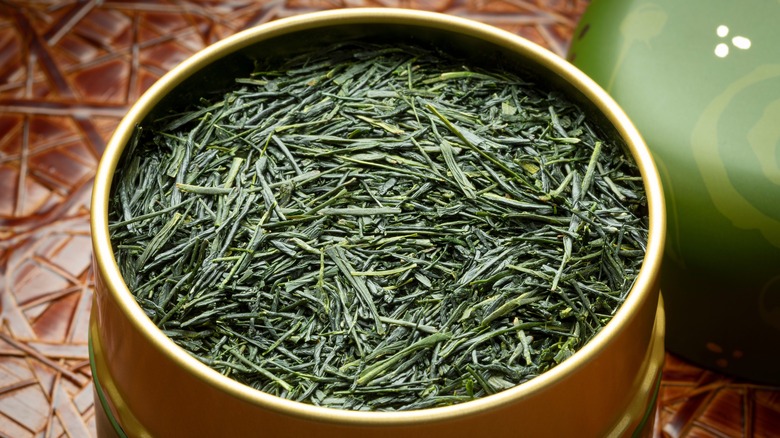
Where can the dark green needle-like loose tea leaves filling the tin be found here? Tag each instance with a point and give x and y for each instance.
(378, 228)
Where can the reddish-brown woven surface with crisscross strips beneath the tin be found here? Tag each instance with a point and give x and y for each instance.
(68, 71)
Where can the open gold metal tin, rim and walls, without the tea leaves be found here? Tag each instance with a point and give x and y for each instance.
(159, 388)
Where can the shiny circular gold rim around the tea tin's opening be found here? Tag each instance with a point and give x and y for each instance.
(109, 270)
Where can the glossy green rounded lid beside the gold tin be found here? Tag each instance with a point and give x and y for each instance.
(701, 81)
